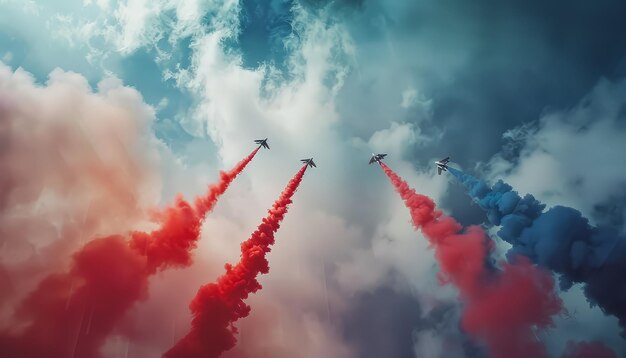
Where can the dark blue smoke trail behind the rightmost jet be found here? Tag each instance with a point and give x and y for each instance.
(560, 239)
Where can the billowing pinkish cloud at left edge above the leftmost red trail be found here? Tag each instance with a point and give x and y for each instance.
(76, 163)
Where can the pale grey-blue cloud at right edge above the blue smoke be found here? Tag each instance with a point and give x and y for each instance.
(572, 158)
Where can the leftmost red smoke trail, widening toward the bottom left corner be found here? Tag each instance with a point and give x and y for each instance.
(71, 314)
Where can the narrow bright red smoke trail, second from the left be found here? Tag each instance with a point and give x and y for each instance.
(217, 306)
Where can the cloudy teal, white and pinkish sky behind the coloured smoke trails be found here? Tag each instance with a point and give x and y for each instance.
(109, 109)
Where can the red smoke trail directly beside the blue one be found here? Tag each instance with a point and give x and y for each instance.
(500, 307)
